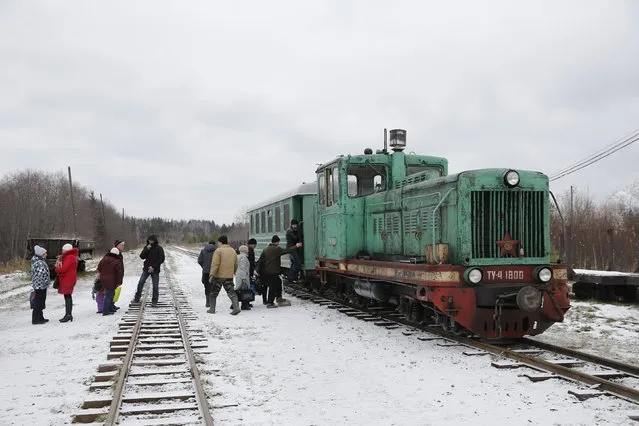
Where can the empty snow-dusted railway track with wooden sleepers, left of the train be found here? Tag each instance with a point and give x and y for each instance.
(151, 376)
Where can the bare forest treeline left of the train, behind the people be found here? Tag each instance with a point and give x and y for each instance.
(39, 204)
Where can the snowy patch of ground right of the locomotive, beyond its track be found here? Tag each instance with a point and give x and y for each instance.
(604, 329)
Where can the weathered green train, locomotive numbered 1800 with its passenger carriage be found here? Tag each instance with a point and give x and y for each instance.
(469, 250)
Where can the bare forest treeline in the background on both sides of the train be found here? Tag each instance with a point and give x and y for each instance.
(605, 235)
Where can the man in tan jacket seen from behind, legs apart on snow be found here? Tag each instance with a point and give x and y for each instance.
(223, 267)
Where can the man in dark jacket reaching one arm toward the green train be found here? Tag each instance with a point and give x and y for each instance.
(269, 266)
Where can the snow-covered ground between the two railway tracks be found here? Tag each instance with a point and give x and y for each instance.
(309, 365)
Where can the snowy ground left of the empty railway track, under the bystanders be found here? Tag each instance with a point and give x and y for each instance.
(46, 369)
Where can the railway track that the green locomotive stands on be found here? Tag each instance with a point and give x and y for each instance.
(540, 361)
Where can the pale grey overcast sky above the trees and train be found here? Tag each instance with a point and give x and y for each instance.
(190, 109)
